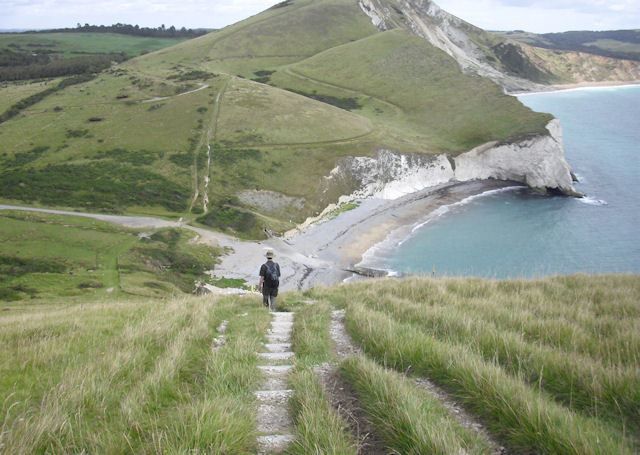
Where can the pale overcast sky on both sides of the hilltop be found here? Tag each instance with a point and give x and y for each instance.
(531, 15)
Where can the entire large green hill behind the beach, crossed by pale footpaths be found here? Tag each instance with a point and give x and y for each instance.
(147, 135)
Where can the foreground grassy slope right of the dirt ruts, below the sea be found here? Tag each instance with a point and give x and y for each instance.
(415, 324)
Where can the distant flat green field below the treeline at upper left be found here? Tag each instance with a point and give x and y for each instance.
(74, 44)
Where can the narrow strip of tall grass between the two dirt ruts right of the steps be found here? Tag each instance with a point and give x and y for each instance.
(409, 420)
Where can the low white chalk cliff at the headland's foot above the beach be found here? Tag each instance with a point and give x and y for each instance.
(537, 162)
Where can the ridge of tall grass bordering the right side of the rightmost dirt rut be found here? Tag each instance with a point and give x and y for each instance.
(525, 418)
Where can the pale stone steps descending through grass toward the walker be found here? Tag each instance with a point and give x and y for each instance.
(275, 426)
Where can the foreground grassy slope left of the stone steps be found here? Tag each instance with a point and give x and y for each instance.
(143, 372)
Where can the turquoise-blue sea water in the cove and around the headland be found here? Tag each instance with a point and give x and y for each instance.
(514, 233)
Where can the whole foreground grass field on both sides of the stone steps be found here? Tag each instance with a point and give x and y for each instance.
(547, 366)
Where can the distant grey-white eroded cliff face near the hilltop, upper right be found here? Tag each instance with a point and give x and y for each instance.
(514, 66)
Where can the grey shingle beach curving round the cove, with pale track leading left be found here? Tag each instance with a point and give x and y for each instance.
(326, 252)
